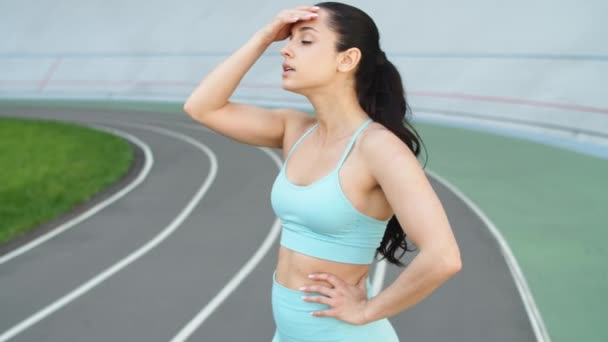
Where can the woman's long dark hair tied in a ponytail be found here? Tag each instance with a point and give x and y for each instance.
(381, 94)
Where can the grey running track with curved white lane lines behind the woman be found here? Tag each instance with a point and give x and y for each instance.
(192, 245)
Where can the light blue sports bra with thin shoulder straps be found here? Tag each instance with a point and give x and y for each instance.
(319, 220)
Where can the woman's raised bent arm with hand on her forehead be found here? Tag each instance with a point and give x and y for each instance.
(209, 103)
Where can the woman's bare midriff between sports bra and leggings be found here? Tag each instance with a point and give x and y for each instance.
(293, 269)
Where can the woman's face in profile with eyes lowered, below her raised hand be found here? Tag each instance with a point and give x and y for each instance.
(310, 51)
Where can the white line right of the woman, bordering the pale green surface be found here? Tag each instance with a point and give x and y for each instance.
(540, 331)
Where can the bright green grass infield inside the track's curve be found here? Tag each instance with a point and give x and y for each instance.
(48, 167)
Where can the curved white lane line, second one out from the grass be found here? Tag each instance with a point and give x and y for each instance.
(58, 304)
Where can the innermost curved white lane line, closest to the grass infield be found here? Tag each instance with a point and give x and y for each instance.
(149, 161)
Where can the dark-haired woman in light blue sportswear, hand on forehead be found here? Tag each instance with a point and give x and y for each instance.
(338, 213)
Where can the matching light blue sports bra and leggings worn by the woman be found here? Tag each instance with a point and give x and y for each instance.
(319, 220)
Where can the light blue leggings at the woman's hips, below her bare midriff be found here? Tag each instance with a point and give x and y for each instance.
(295, 324)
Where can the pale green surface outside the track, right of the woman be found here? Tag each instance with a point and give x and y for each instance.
(550, 204)
